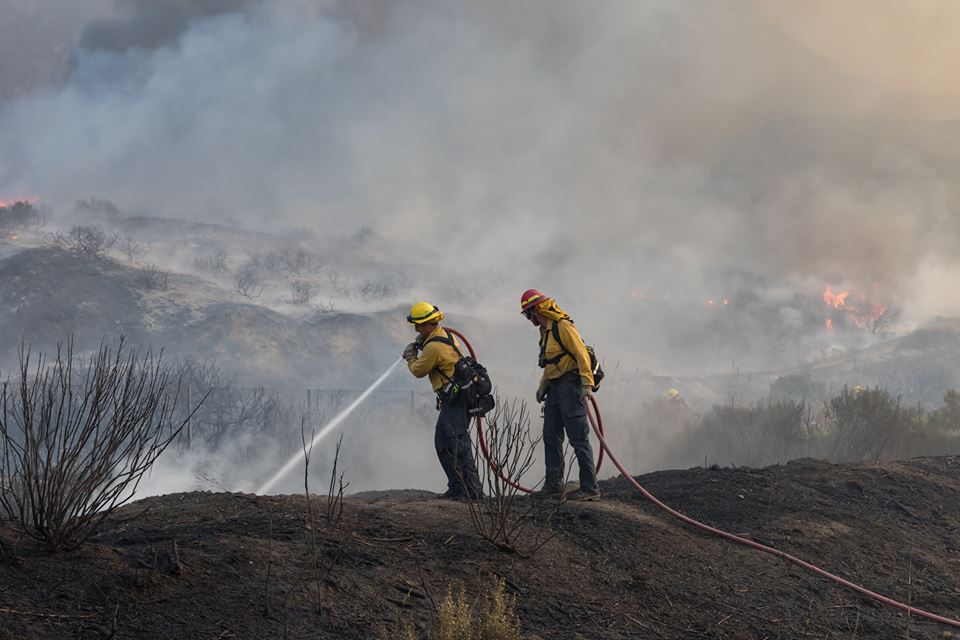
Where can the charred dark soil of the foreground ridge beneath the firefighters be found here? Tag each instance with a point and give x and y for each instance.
(205, 565)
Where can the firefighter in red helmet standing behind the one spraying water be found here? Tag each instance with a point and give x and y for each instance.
(567, 380)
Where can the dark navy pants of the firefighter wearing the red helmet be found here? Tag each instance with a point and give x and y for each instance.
(563, 412)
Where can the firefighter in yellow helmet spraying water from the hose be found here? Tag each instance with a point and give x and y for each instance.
(434, 353)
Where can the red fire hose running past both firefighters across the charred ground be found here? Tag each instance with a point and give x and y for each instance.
(596, 422)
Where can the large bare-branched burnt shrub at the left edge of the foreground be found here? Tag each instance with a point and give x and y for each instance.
(76, 437)
